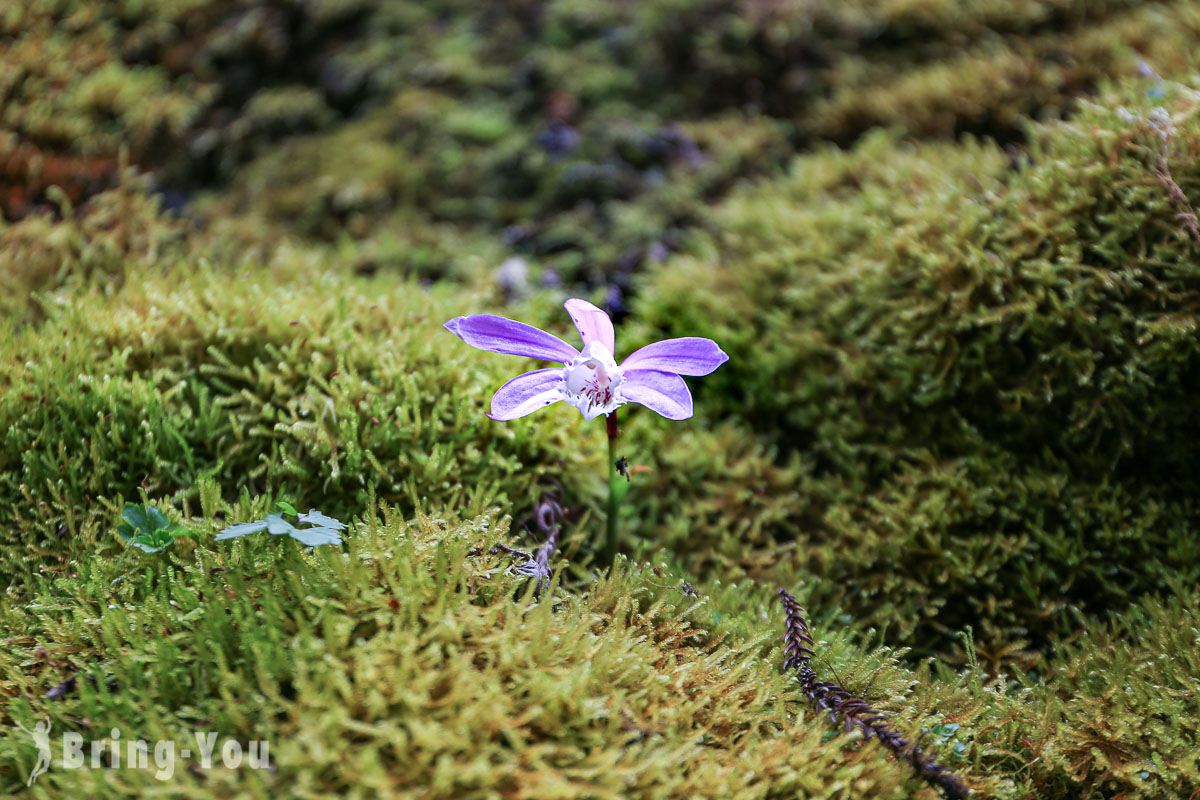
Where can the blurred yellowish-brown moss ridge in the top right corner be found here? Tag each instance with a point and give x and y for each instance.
(995, 86)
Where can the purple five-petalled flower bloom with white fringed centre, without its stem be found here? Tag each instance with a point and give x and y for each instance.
(591, 381)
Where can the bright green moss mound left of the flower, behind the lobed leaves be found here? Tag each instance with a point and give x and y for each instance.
(316, 388)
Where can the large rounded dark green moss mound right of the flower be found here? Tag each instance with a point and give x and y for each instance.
(985, 372)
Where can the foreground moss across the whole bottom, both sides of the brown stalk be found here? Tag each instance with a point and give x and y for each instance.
(416, 663)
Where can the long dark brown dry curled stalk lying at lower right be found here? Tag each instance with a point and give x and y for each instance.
(854, 712)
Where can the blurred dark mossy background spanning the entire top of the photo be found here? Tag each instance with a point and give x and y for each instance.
(589, 139)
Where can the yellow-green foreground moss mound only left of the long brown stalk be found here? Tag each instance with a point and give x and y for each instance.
(418, 665)
